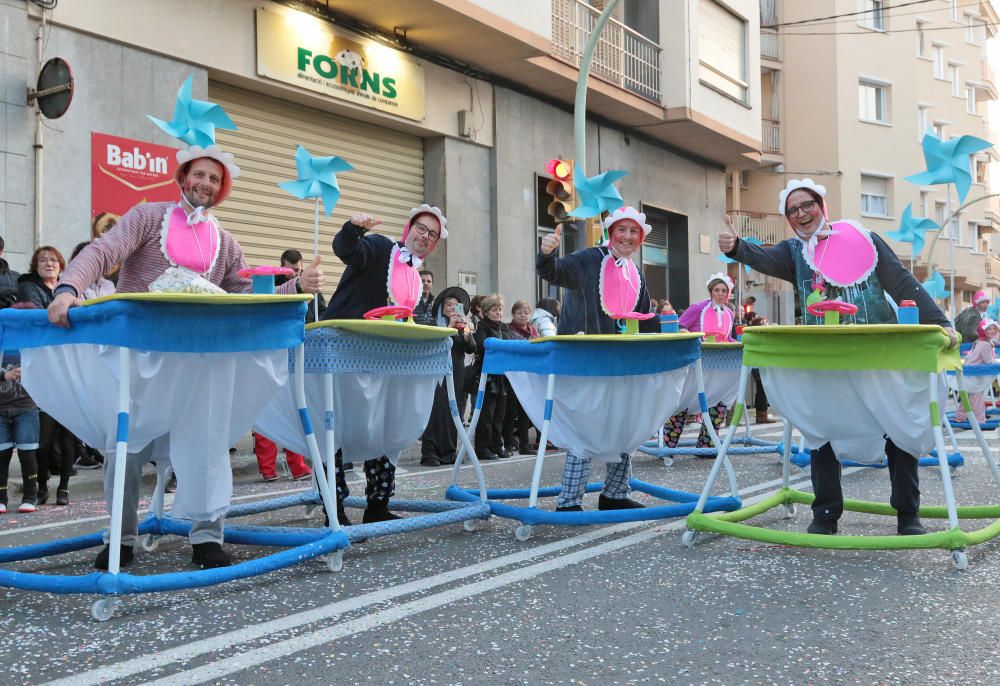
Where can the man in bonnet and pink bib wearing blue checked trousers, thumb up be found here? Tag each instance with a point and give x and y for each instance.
(599, 283)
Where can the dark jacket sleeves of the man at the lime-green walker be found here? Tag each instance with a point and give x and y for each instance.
(778, 261)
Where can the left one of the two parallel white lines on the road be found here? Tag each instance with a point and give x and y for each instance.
(190, 651)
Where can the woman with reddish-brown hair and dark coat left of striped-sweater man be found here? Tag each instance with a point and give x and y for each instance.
(57, 446)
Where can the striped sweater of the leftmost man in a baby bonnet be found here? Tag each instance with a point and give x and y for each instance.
(134, 243)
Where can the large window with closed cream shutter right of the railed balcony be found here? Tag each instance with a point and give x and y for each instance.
(722, 51)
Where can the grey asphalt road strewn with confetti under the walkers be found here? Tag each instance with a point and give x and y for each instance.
(623, 604)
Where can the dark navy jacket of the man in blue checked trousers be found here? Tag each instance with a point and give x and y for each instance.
(580, 274)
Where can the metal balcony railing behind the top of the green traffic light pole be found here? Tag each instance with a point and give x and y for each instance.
(622, 56)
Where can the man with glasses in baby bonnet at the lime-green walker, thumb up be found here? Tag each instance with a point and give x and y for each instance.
(844, 261)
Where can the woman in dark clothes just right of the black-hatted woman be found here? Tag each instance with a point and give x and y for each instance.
(489, 439)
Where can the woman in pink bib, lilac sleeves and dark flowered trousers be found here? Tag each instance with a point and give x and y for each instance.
(713, 317)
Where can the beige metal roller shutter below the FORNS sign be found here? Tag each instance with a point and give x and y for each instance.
(388, 176)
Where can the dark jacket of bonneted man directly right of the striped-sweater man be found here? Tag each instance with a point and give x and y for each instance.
(364, 285)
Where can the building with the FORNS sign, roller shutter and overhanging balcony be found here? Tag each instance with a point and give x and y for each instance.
(458, 102)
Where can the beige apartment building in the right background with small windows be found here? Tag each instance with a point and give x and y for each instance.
(846, 101)
